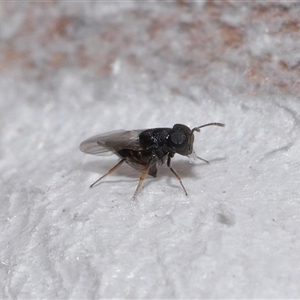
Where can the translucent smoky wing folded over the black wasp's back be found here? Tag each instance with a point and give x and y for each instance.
(112, 142)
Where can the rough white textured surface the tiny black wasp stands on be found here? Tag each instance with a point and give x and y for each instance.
(235, 236)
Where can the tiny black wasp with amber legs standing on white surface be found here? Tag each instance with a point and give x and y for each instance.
(143, 149)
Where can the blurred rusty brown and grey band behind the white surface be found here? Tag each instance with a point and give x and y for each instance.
(206, 41)
